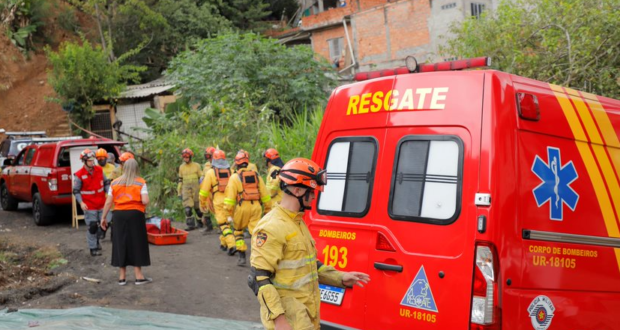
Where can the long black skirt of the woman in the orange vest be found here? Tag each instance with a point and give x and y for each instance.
(130, 246)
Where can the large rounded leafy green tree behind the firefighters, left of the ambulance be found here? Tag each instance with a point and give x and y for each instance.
(246, 70)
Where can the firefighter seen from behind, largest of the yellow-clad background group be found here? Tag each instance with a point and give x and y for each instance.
(244, 194)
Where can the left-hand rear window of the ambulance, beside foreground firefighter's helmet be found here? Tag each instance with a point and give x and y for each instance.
(350, 173)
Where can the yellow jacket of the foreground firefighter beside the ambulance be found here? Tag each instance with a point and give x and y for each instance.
(283, 246)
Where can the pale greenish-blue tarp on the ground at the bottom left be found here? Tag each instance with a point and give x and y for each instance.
(100, 318)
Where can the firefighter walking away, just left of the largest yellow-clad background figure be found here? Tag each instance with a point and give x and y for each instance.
(212, 198)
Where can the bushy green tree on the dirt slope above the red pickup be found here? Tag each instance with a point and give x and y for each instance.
(82, 75)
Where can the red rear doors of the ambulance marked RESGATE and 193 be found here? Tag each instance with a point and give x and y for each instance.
(415, 234)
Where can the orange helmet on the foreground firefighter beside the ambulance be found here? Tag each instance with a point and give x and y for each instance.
(302, 172)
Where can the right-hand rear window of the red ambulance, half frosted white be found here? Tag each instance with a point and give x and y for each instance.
(426, 181)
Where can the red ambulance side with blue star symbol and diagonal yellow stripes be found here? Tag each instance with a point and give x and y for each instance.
(569, 212)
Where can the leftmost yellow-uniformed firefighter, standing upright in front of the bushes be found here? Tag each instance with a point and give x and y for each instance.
(188, 188)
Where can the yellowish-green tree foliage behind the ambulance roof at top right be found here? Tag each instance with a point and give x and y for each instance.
(568, 42)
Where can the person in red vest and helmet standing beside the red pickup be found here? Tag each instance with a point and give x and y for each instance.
(89, 187)
